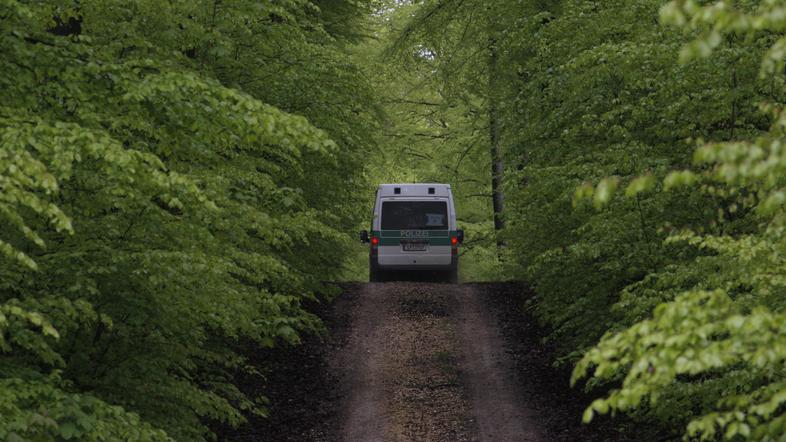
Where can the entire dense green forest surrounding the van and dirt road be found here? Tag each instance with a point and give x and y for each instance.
(180, 177)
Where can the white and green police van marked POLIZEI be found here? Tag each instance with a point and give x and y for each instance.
(413, 229)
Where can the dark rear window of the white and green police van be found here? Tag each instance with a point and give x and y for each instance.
(414, 215)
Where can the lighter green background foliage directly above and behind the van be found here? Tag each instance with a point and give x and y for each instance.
(436, 103)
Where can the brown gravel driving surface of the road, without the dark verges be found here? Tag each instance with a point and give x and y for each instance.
(426, 362)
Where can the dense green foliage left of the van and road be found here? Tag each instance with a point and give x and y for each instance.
(162, 168)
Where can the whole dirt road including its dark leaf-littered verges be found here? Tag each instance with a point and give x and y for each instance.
(420, 362)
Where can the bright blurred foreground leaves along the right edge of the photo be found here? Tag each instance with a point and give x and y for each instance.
(714, 344)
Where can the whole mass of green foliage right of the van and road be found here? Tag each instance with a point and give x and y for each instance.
(644, 189)
